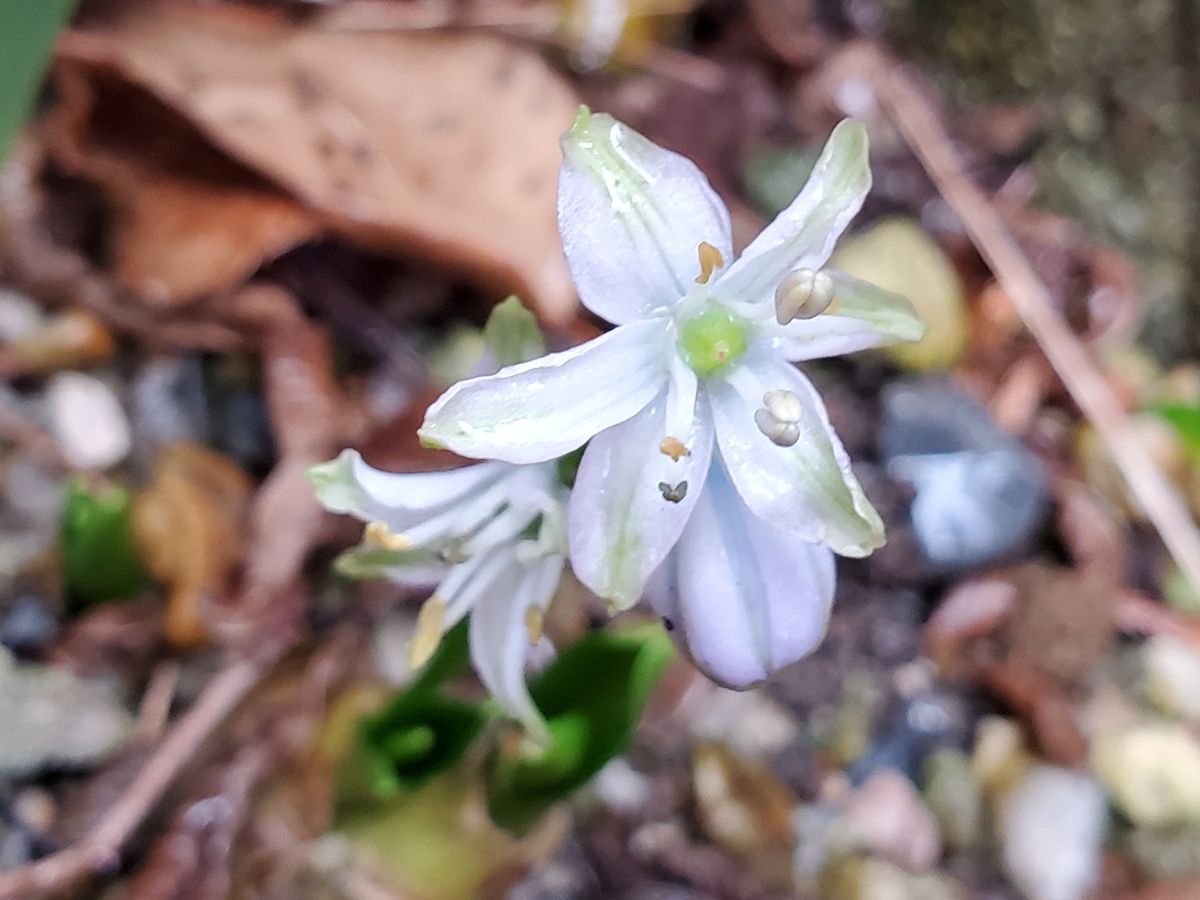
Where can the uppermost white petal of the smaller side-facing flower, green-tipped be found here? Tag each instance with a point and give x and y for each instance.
(346, 484)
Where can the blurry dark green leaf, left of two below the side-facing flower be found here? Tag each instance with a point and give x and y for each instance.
(417, 736)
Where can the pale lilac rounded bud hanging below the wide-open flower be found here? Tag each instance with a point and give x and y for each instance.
(741, 598)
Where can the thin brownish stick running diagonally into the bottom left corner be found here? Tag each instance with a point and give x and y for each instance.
(101, 848)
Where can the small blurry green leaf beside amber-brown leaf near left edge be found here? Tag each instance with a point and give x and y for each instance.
(99, 557)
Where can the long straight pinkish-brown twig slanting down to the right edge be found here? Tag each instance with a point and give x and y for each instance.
(915, 118)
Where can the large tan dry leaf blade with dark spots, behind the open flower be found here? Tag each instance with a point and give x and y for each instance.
(445, 146)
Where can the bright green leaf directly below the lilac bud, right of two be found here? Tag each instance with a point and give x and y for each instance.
(592, 698)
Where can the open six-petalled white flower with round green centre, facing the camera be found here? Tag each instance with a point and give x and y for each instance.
(699, 358)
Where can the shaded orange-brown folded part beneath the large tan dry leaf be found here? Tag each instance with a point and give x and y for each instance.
(187, 220)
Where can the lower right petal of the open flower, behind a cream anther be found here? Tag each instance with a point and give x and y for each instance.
(807, 489)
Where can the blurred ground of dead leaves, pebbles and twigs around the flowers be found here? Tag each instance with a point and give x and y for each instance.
(237, 238)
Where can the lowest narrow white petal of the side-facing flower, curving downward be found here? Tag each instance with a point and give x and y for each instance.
(500, 639)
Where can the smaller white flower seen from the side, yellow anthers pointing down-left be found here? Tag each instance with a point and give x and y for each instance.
(490, 536)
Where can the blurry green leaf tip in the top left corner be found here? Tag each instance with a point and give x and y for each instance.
(28, 29)
